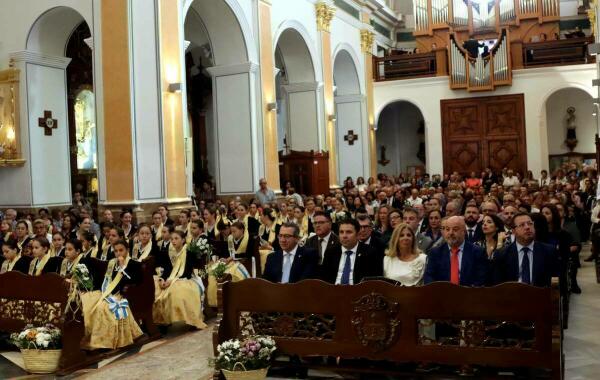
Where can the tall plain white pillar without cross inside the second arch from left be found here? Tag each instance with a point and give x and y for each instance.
(234, 139)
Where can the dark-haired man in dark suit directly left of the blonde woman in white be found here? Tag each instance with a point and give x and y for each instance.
(352, 261)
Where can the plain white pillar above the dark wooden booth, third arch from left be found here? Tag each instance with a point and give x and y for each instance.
(303, 109)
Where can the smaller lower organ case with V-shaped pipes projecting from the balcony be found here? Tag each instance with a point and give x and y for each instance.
(481, 73)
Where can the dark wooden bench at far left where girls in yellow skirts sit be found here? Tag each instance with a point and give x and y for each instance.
(43, 299)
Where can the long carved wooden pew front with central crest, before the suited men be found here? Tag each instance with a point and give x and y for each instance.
(386, 327)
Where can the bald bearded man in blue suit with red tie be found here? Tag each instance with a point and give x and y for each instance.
(458, 261)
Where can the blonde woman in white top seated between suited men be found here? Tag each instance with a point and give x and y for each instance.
(403, 261)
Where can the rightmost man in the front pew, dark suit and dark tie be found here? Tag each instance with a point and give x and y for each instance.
(526, 260)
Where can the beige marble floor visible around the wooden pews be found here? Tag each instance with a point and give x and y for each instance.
(185, 355)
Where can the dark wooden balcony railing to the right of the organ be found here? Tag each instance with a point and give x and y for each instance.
(557, 52)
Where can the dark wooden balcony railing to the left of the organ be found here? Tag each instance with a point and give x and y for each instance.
(405, 66)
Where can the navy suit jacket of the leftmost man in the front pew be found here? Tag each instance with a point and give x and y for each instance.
(304, 265)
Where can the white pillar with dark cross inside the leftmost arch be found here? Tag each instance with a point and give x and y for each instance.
(45, 179)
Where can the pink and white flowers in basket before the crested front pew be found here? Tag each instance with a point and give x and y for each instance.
(251, 353)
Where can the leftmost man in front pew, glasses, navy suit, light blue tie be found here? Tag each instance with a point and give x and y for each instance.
(292, 263)
